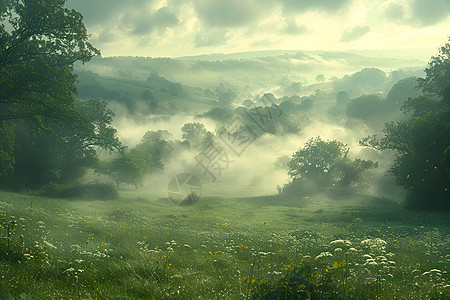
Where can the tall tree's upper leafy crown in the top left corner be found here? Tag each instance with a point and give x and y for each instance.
(39, 43)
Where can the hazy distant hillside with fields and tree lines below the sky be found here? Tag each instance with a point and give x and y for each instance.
(163, 86)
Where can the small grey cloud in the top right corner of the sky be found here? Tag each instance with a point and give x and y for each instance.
(429, 12)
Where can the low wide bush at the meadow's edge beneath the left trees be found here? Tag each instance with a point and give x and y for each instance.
(94, 191)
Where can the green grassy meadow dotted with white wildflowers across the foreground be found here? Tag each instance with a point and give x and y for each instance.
(353, 247)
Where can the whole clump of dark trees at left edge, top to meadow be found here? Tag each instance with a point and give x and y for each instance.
(47, 135)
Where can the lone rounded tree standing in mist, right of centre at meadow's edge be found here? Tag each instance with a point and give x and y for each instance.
(326, 163)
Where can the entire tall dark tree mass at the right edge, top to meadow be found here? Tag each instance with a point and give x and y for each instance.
(421, 143)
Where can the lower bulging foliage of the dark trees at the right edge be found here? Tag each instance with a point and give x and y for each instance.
(420, 144)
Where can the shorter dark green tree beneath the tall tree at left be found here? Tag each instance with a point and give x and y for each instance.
(65, 153)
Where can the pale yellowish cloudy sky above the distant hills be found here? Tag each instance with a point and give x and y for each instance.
(174, 28)
